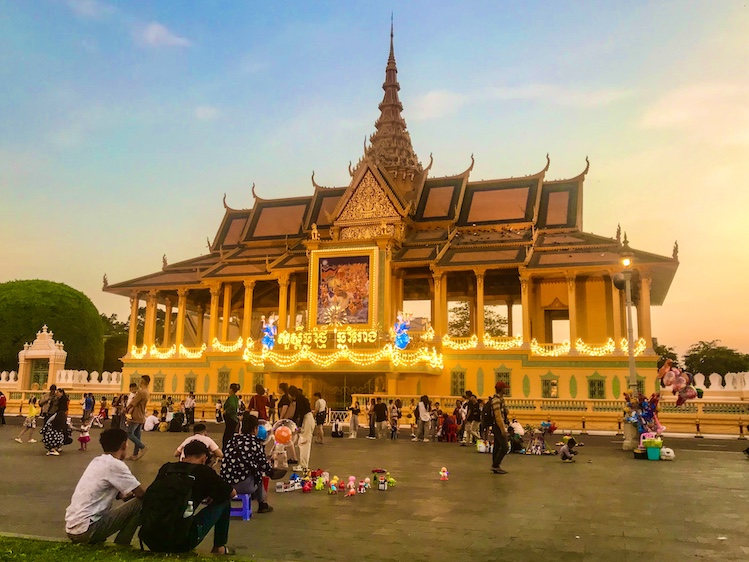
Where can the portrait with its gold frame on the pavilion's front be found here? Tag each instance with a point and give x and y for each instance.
(343, 287)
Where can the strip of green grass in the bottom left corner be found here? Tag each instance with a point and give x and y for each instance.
(33, 550)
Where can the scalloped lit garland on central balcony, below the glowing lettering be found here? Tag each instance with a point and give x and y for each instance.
(344, 354)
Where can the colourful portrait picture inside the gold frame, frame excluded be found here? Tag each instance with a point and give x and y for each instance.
(343, 290)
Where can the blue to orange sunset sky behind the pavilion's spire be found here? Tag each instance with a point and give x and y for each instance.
(123, 124)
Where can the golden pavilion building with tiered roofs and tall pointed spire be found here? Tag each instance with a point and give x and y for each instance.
(337, 265)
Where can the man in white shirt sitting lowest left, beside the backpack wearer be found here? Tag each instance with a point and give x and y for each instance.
(90, 517)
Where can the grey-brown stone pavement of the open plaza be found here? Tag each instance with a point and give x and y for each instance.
(606, 506)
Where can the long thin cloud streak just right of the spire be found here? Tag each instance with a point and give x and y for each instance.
(438, 103)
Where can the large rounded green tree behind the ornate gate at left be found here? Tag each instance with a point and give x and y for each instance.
(26, 306)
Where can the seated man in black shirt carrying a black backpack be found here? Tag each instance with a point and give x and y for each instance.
(208, 485)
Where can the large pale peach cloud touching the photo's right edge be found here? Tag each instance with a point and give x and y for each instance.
(708, 111)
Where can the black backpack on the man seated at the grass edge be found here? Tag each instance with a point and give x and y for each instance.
(166, 515)
